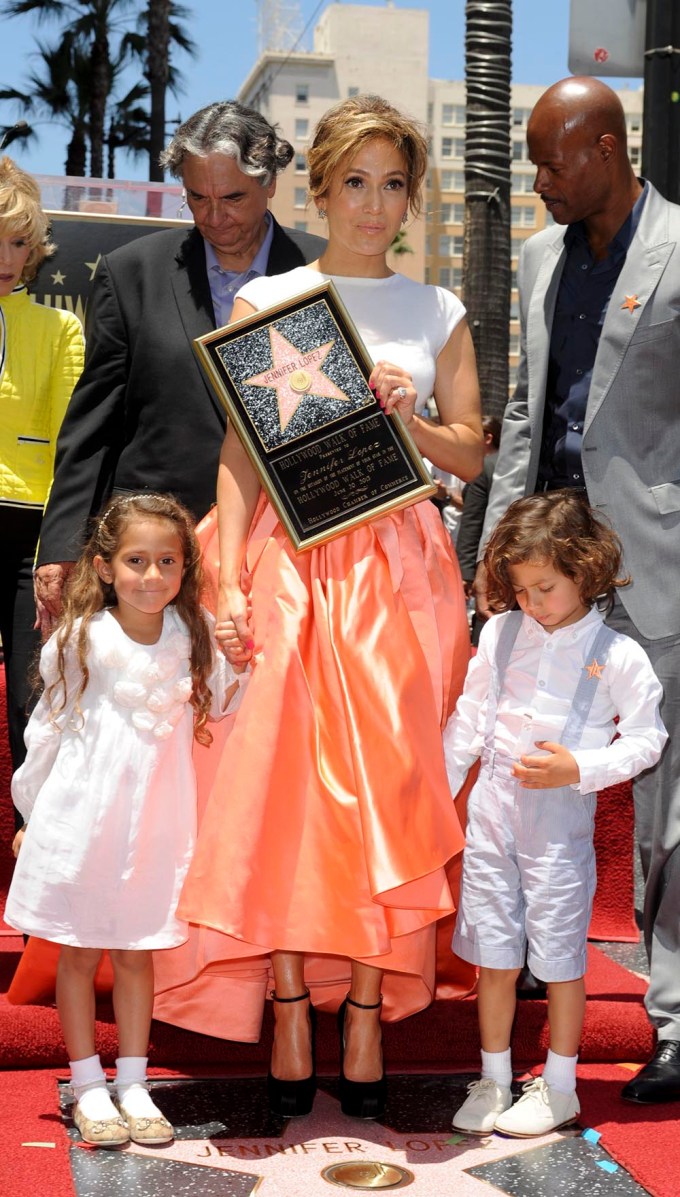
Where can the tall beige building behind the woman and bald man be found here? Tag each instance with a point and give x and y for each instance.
(360, 48)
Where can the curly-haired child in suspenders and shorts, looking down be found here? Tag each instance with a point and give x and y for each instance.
(539, 707)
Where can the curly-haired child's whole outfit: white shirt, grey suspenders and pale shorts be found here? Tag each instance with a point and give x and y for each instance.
(530, 861)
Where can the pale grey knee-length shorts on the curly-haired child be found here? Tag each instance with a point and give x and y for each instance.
(529, 877)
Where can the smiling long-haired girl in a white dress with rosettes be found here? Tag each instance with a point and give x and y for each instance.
(130, 677)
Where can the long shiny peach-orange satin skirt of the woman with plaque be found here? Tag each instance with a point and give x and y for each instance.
(330, 823)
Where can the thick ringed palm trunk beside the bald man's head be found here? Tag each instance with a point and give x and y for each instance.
(487, 250)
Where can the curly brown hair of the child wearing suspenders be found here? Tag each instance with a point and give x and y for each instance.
(558, 527)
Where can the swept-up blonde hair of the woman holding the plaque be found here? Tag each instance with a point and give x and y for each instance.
(347, 127)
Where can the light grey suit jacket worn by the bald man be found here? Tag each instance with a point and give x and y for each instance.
(632, 439)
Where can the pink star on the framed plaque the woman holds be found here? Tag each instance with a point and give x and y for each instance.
(294, 375)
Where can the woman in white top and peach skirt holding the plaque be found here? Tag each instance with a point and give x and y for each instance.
(323, 853)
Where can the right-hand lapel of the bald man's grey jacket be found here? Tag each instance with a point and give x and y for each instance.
(646, 262)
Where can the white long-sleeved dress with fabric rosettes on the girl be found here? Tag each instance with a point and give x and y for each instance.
(112, 794)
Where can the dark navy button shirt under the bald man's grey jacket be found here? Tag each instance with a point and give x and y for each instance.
(584, 299)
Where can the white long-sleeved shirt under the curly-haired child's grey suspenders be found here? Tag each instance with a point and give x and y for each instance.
(541, 683)
